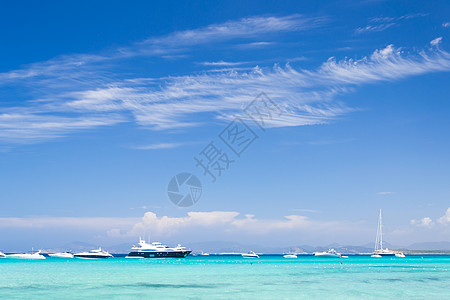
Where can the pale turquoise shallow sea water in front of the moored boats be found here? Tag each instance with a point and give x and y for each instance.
(212, 277)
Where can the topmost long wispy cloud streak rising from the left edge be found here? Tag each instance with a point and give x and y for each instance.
(165, 46)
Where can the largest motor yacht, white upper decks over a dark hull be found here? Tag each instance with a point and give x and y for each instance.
(156, 250)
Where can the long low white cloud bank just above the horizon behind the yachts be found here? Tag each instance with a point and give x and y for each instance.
(202, 225)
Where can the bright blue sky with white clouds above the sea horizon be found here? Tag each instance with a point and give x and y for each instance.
(102, 103)
